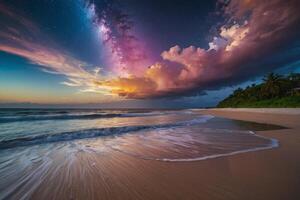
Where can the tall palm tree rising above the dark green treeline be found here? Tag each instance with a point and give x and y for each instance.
(272, 85)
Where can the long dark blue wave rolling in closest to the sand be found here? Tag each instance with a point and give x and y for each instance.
(91, 133)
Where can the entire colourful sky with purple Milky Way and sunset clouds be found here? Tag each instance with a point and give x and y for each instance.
(141, 54)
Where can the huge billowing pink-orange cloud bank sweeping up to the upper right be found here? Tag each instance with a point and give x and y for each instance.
(255, 29)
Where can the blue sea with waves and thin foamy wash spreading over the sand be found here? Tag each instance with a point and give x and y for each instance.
(38, 145)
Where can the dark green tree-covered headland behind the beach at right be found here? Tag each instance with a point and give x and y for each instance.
(275, 91)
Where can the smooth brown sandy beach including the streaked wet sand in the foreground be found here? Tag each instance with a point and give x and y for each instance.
(268, 174)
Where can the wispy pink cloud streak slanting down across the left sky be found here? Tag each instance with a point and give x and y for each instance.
(21, 37)
